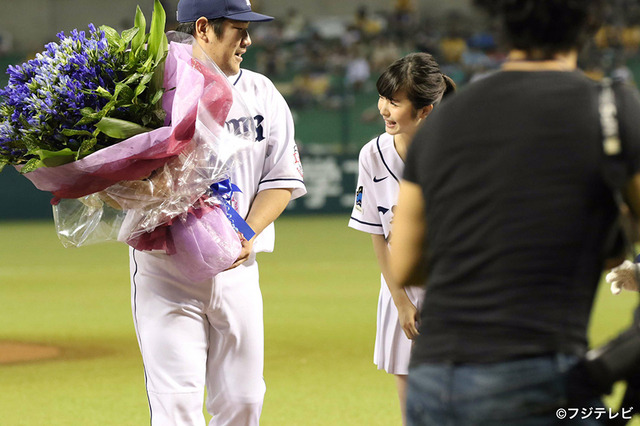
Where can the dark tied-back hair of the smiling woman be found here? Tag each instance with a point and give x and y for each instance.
(418, 76)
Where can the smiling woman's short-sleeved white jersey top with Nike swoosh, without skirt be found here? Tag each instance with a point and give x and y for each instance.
(380, 171)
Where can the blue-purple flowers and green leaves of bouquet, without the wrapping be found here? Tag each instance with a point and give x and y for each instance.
(55, 101)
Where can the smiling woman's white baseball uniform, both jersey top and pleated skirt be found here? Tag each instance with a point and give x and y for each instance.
(380, 171)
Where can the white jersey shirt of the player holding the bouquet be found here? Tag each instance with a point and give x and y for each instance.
(273, 161)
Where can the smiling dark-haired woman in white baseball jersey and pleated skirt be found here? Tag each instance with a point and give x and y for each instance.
(409, 88)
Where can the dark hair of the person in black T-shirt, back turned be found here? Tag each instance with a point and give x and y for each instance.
(542, 28)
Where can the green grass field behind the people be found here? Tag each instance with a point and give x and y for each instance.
(320, 290)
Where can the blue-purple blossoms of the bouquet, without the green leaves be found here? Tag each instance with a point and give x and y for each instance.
(46, 95)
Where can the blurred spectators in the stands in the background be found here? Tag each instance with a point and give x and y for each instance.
(315, 63)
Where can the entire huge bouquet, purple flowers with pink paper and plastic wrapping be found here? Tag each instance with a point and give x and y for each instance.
(127, 132)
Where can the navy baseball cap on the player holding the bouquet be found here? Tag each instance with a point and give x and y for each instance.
(239, 10)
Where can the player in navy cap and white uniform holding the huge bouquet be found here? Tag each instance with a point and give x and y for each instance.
(209, 334)
